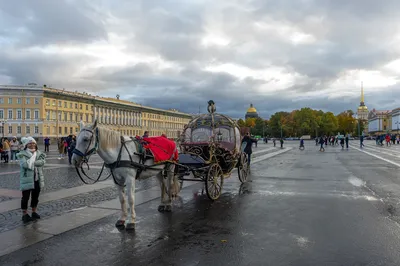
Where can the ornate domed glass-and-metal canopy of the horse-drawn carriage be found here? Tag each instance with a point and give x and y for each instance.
(213, 128)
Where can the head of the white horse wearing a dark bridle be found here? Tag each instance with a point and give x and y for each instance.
(86, 143)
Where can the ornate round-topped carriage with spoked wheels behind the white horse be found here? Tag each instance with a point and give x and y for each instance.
(210, 149)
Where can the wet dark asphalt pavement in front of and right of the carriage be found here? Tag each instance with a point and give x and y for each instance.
(301, 208)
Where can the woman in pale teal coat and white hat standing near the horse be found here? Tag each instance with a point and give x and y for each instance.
(31, 177)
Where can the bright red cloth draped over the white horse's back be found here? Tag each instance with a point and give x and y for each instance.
(162, 148)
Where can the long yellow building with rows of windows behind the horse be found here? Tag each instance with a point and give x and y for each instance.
(41, 111)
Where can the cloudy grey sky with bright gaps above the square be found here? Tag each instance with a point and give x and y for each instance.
(278, 55)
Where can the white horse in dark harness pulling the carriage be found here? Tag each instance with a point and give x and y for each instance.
(113, 147)
